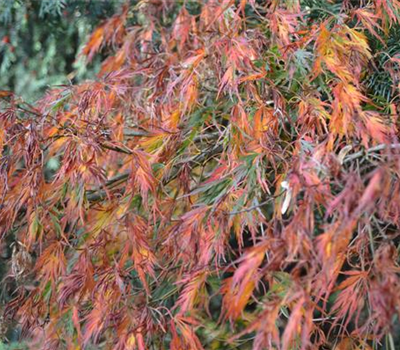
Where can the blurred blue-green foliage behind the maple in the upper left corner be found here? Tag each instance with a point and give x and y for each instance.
(40, 41)
